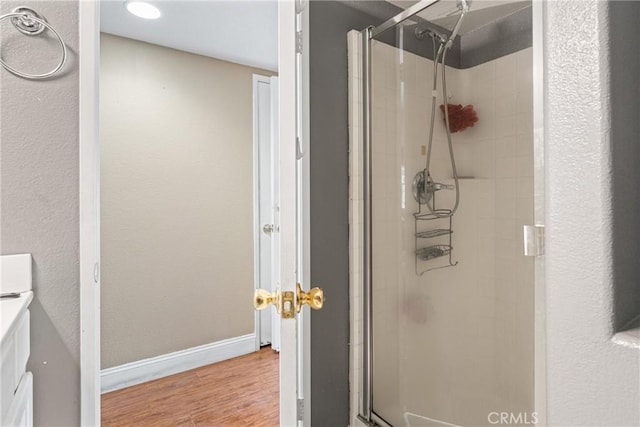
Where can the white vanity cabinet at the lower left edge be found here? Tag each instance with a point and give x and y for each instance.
(16, 384)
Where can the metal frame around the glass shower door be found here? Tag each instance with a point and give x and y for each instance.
(365, 411)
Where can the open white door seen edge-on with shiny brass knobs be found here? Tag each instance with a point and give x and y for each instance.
(293, 214)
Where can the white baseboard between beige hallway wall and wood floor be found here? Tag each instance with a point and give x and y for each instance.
(173, 363)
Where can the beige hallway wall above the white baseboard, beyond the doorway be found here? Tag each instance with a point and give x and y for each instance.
(176, 140)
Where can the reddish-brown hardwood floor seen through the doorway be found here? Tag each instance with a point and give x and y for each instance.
(238, 392)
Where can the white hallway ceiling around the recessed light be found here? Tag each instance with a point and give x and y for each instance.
(244, 32)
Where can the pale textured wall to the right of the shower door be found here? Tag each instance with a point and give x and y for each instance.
(590, 380)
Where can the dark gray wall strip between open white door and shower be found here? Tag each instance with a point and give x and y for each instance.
(329, 24)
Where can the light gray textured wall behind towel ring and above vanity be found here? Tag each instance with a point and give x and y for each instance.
(39, 196)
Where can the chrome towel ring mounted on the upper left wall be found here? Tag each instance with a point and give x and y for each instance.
(31, 23)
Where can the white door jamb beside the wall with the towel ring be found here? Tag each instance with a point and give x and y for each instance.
(89, 186)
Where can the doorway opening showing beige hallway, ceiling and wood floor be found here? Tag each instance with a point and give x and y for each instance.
(188, 215)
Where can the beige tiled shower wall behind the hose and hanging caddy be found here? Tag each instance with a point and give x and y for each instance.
(454, 344)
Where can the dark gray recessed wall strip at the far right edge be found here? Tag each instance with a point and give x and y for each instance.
(624, 34)
